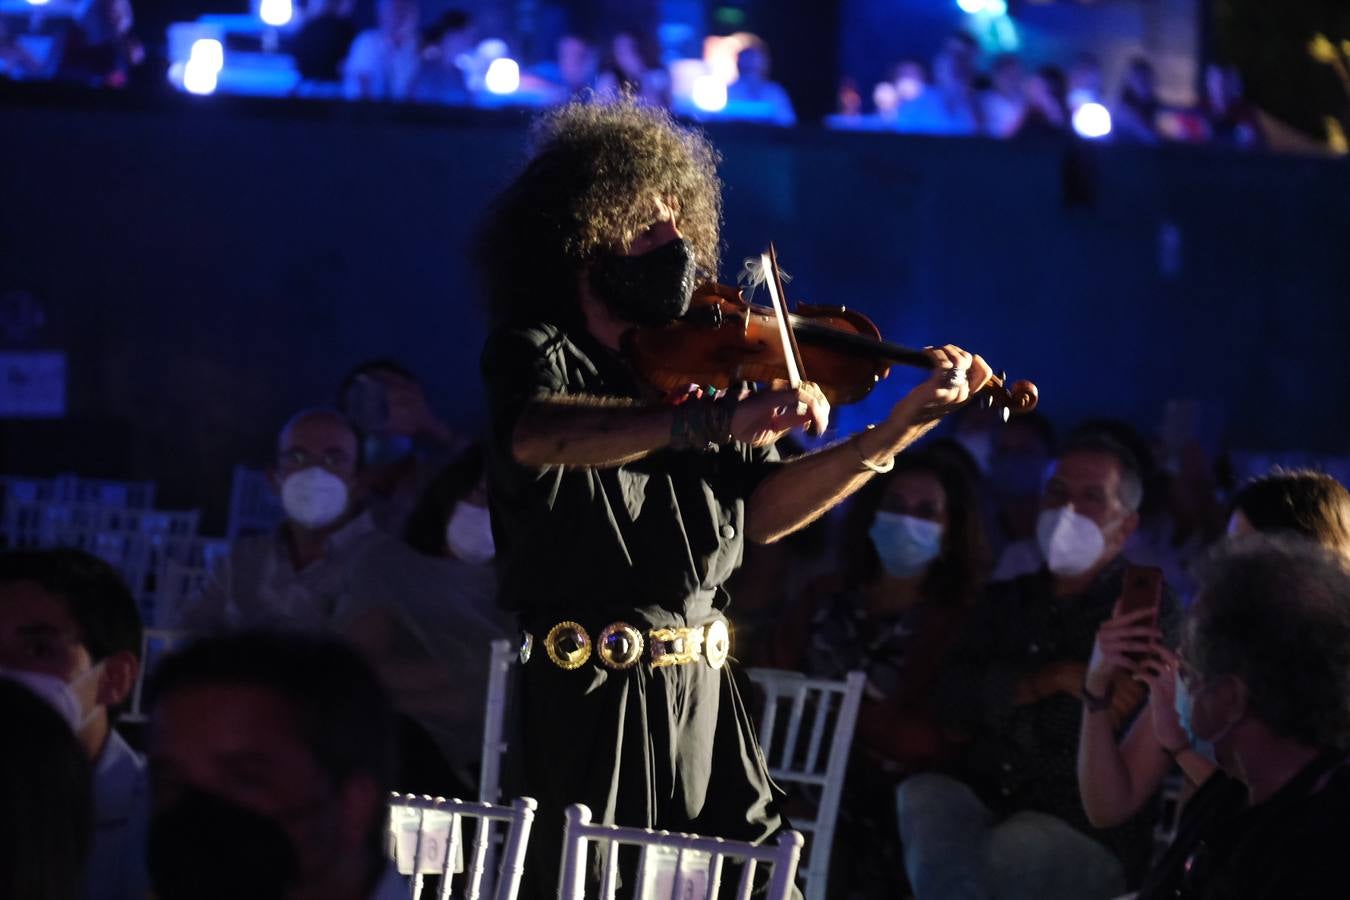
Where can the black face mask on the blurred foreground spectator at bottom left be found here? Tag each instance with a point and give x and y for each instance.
(209, 849)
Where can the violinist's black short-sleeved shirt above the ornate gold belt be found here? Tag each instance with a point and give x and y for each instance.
(653, 540)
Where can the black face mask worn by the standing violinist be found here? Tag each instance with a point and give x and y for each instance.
(653, 289)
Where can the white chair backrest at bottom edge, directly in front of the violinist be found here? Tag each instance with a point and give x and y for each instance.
(680, 867)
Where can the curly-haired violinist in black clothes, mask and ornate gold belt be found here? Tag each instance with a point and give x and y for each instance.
(619, 515)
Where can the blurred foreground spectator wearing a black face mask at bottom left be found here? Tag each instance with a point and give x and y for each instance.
(272, 760)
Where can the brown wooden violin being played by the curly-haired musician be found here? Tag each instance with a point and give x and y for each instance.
(726, 341)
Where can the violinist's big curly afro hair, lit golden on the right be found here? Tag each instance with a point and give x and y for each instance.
(593, 180)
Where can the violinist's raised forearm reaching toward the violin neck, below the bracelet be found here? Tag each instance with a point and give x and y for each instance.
(805, 488)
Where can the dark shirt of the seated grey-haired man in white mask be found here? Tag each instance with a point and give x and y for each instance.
(1025, 758)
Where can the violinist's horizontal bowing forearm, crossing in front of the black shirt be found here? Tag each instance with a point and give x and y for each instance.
(589, 431)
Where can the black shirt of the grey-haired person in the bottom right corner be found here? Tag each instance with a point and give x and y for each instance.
(1290, 848)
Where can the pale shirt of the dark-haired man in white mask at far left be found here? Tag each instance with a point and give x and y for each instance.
(117, 867)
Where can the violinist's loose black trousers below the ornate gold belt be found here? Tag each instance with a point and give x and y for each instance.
(672, 748)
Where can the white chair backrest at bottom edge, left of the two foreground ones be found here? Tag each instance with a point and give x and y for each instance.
(426, 837)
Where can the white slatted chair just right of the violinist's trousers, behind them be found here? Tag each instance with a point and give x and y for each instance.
(797, 752)
